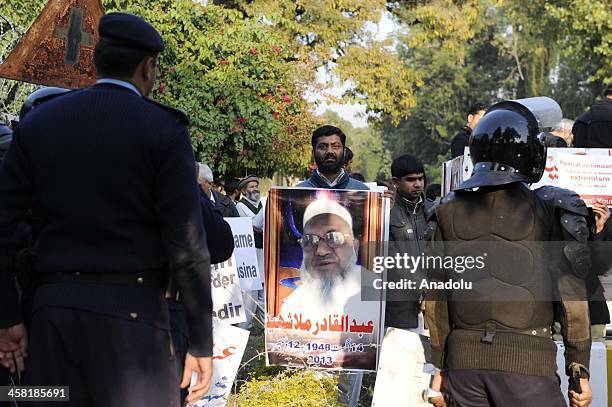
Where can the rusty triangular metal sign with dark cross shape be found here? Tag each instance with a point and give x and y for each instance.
(58, 48)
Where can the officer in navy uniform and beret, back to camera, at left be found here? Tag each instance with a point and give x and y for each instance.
(112, 176)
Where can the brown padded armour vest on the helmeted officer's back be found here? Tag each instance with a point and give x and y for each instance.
(514, 291)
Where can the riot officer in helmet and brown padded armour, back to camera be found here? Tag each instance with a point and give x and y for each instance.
(493, 342)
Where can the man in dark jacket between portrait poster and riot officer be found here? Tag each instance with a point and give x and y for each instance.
(408, 232)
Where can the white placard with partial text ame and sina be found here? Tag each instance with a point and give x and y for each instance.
(249, 275)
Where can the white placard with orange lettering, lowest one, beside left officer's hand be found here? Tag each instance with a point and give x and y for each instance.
(229, 344)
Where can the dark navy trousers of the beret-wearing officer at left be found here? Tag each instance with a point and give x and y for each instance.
(105, 361)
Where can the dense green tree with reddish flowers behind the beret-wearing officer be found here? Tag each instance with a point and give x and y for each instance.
(235, 79)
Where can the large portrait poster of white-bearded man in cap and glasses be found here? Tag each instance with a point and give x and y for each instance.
(319, 247)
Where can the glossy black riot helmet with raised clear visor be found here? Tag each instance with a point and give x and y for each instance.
(509, 139)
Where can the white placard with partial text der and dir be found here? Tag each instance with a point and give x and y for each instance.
(228, 304)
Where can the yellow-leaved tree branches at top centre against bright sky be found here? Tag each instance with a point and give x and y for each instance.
(337, 35)
